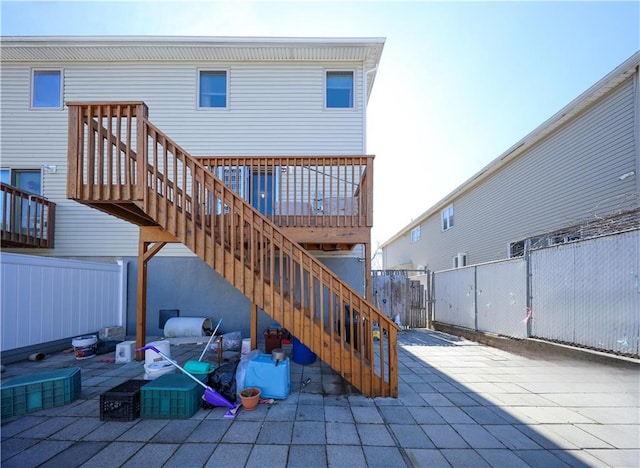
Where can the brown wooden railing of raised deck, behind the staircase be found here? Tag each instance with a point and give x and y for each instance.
(303, 191)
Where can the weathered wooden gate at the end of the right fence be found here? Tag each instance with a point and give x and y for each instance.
(397, 295)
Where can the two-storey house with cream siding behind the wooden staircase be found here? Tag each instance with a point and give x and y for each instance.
(214, 97)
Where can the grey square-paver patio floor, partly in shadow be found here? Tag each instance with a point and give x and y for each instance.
(460, 404)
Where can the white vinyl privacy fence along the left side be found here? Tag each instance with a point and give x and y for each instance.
(48, 299)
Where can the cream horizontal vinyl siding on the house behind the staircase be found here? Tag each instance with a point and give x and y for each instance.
(273, 109)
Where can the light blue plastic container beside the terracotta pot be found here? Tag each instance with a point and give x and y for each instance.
(273, 381)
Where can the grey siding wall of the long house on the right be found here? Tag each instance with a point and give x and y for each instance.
(569, 177)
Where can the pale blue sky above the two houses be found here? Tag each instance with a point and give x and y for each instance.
(458, 83)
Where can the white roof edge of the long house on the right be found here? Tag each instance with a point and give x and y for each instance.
(564, 115)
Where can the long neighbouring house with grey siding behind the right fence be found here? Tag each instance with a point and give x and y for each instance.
(575, 175)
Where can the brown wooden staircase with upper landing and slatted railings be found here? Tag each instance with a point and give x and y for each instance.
(120, 163)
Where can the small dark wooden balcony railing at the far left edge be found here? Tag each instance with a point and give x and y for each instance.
(28, 220)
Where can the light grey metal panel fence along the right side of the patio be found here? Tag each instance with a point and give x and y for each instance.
(584, 293)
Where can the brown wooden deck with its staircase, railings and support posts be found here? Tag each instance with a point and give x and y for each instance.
(249, 219)
